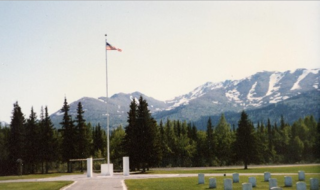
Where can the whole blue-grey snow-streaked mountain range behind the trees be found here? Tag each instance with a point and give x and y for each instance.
(251, 93)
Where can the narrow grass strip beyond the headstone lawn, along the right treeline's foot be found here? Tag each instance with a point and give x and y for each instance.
(288, 169)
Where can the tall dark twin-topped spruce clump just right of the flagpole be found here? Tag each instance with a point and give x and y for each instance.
(142, 136)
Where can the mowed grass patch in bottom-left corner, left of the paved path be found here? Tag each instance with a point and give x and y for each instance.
(55, 185)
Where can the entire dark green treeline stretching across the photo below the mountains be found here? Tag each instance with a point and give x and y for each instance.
(170, 143)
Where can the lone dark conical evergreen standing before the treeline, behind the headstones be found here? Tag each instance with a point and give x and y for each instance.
(245, 145)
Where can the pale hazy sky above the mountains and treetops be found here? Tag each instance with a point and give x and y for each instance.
(52, 50)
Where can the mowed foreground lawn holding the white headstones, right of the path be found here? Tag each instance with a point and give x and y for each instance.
(191, 183)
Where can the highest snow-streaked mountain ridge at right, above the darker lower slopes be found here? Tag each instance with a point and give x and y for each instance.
(255, 91)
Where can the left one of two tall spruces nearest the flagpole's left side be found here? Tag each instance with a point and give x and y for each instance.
(68, 136)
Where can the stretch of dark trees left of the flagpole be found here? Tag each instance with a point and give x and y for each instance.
(41, 147)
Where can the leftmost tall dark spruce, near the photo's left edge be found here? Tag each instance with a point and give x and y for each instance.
(16, 143)
